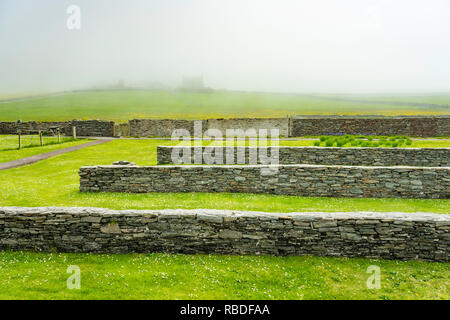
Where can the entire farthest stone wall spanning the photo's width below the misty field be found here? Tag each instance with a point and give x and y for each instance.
(416, 126)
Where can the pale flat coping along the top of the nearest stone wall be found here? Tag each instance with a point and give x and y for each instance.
(363, 215)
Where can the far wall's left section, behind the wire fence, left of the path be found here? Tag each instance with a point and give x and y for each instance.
(90, 128)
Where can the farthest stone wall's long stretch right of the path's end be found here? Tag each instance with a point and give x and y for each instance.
(420, 126)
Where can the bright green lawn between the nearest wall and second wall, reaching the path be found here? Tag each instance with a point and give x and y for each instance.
(55, 182)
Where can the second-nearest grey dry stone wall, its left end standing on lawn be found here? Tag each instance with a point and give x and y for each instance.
(298, 180)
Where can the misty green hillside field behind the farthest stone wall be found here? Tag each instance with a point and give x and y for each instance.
(128, 104)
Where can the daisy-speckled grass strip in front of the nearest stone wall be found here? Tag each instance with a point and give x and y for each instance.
(161, 276)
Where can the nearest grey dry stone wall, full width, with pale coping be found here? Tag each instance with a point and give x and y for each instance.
(358, 234)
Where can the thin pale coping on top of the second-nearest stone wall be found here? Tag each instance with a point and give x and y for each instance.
(248, 166)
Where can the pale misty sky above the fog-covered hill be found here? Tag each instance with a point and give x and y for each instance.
(320, 46)
